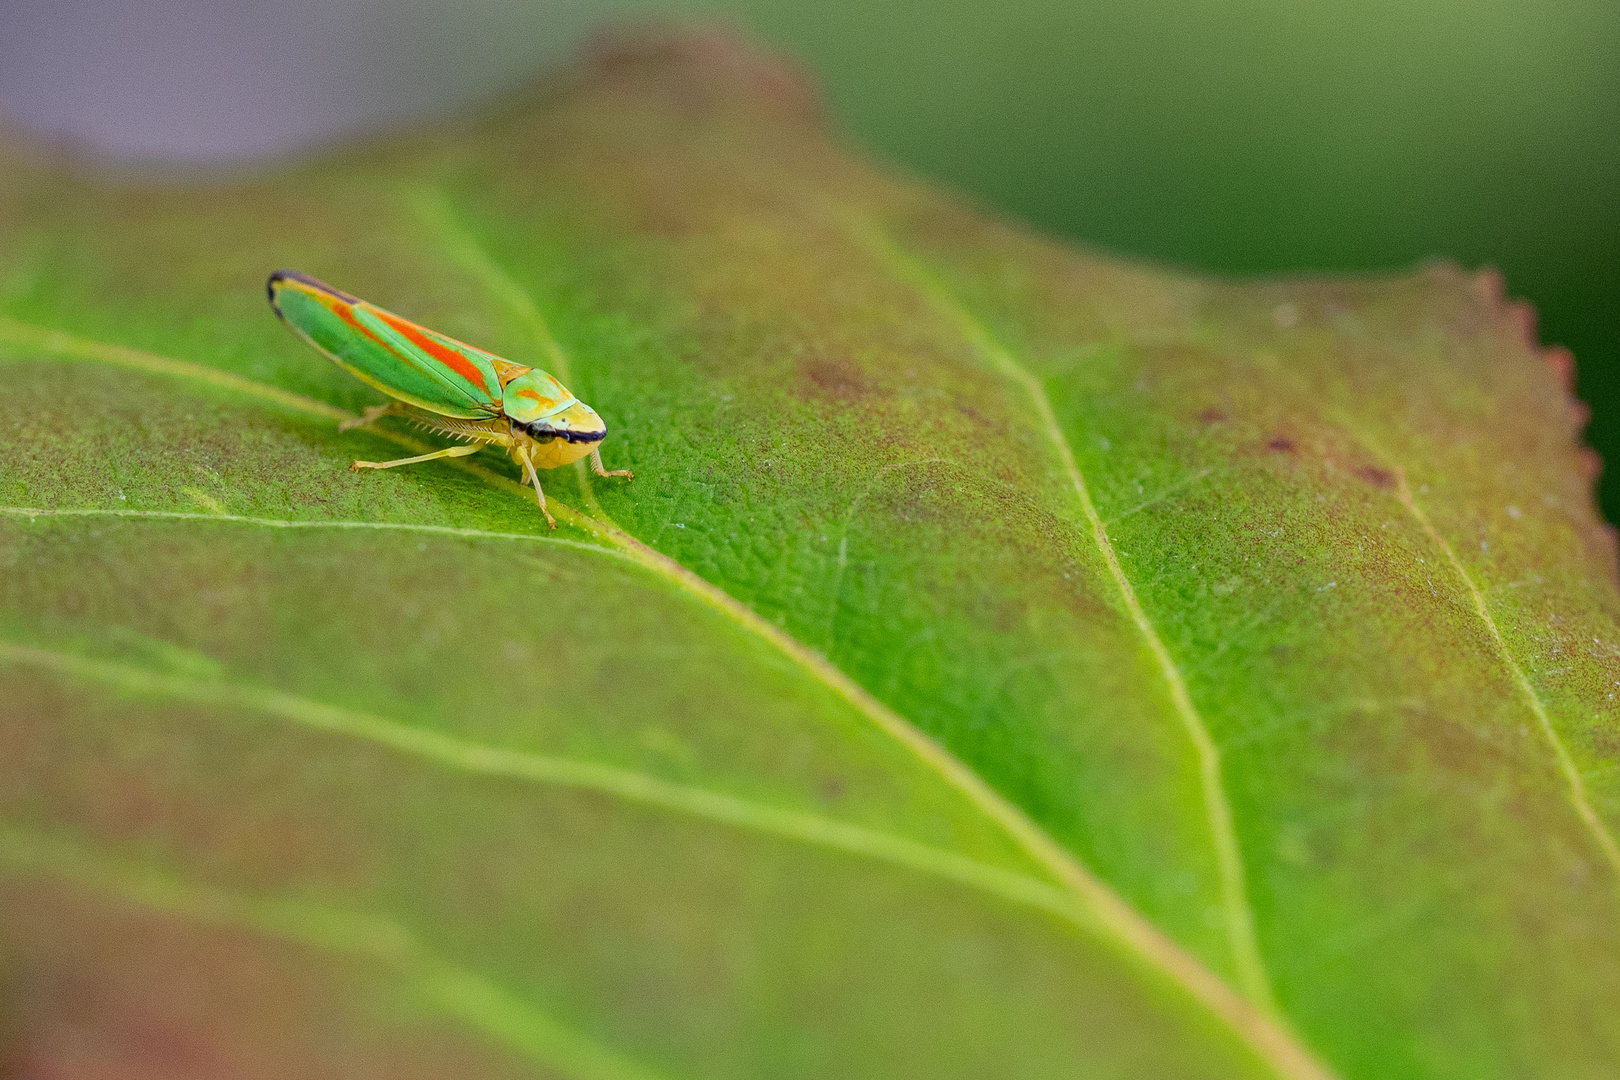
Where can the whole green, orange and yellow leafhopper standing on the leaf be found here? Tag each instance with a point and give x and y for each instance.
(443, 385)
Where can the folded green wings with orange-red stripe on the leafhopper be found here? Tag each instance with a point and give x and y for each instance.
(394, 355)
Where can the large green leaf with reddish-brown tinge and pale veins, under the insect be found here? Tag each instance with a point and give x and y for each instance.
(1007, 663)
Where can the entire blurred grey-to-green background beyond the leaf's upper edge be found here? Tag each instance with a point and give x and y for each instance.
(1255, 137)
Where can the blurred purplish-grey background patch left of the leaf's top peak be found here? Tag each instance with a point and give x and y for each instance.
(226, 80)
